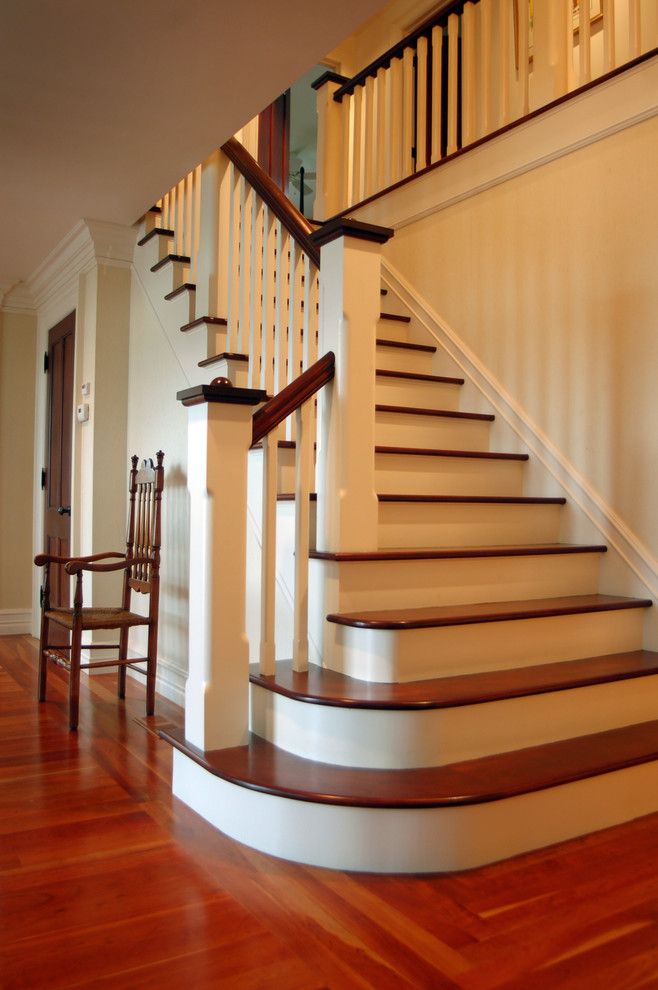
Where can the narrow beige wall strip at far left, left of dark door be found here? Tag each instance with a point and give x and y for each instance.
(17, 359)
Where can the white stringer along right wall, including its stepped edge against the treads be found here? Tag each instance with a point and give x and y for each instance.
(629, 567)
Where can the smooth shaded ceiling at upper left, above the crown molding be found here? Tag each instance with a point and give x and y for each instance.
(104, 105)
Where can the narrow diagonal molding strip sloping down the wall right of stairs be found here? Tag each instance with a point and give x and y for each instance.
(577, 488)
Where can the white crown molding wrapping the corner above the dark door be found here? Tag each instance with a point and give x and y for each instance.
(89, 243)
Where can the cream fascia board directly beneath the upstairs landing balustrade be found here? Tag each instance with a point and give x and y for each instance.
(601, 111)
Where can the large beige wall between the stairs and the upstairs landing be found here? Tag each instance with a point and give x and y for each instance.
(550, 279)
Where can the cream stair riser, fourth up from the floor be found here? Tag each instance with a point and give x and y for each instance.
(356, 586)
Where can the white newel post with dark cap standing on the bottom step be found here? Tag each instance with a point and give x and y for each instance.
(217, 688)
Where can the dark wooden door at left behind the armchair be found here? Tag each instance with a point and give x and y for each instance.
(59, 440)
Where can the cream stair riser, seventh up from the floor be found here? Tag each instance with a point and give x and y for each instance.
(394, 429)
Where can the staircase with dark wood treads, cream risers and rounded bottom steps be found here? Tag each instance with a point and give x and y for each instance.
(477, 696)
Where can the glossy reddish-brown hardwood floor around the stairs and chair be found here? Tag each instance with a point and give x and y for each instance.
(106, 881)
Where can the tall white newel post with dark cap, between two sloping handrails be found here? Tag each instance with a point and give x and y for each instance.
(350, 304)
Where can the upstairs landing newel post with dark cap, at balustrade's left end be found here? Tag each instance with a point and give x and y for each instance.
(330, 194)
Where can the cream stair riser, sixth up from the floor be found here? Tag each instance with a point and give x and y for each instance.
(420, 475)
